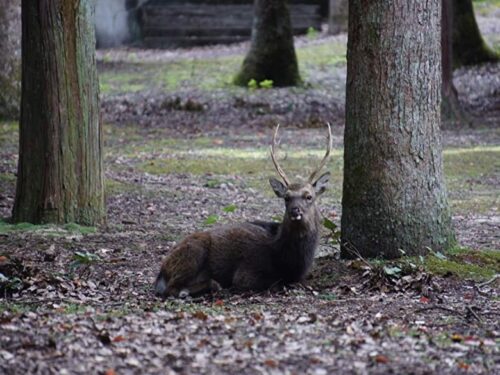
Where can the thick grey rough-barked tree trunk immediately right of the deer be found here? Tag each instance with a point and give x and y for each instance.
(394, 196)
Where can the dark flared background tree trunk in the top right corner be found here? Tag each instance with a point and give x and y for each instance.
(469, 47)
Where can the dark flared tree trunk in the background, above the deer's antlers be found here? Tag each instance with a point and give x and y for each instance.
(272, 54)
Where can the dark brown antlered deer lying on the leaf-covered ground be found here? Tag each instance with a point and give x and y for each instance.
(255, 255)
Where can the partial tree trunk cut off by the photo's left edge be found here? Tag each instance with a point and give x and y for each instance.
(10, 60)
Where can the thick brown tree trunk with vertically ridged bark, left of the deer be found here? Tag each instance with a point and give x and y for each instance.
(60, 158)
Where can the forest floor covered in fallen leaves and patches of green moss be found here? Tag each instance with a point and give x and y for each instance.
(185, 150)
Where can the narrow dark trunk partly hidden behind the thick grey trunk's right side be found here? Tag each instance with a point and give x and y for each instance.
(452, 111)
